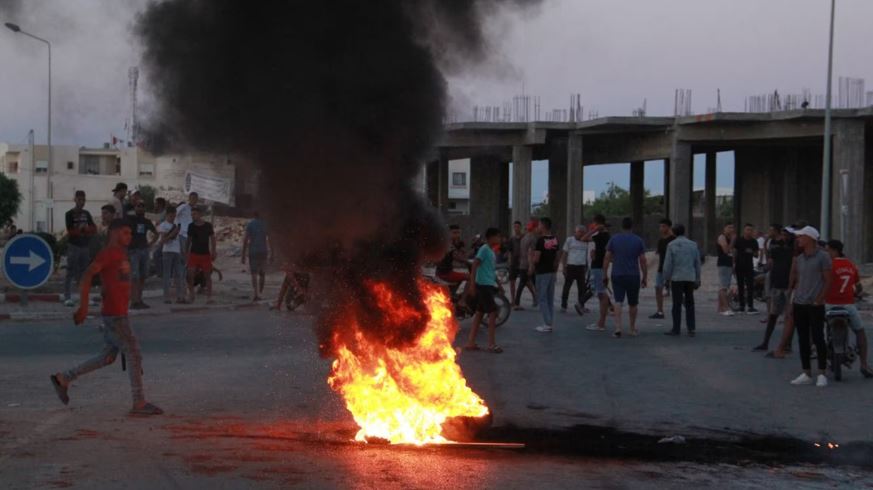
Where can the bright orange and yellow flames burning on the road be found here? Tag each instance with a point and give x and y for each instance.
(404, 395)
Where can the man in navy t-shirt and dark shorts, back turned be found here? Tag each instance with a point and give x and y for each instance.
(627, 254)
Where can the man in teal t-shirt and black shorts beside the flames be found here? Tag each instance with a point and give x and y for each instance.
(485, 288)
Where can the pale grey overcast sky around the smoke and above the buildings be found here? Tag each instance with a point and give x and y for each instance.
(614, 53)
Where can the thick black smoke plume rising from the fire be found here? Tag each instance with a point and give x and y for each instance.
(338, 103)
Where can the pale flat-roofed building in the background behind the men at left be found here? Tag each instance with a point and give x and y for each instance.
(96, 171)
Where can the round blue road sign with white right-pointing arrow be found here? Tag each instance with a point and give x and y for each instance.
(28, 261)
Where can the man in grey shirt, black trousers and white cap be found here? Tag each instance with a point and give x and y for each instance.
(810, 279)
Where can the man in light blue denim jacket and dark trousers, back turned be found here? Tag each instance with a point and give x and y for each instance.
(682, 274)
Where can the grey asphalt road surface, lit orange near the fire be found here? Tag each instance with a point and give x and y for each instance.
(248, 406)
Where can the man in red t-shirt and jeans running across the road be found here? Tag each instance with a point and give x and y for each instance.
(114, 269)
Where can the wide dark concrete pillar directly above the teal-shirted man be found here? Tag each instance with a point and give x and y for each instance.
(484, 194)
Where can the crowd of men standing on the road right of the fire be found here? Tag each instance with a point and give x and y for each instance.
(796, 275)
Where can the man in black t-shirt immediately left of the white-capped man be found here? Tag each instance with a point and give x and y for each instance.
(780, 254)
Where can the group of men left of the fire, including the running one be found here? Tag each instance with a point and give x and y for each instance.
(182, 250)
